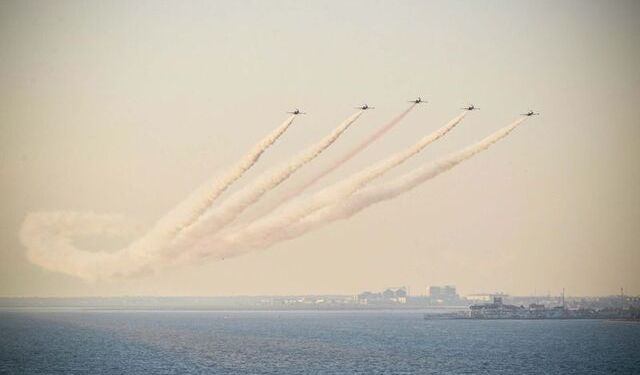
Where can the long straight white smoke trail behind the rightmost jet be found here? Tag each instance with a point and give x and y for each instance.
(264, 233)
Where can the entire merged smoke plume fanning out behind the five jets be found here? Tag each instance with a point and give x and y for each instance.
(202, 232)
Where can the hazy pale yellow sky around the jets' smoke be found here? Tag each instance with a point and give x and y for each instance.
(126, 107)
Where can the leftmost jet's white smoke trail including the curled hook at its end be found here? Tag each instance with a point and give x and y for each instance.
(48, 237)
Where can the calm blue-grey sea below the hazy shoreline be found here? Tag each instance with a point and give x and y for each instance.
(308, 343)
